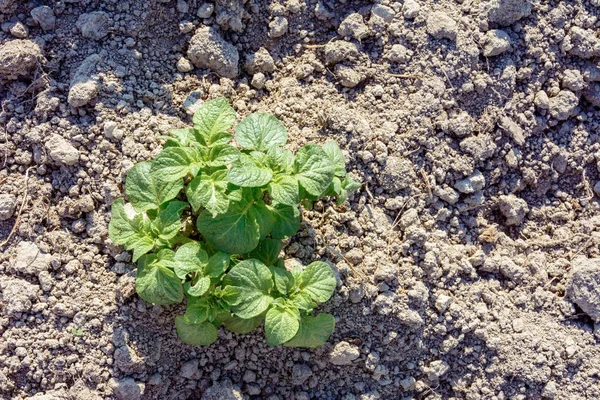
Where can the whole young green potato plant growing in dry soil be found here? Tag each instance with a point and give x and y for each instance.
(206, 219)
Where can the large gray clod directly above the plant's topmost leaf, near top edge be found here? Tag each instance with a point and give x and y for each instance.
(208, 49)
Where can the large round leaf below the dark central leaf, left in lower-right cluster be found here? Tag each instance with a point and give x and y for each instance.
(253, 281)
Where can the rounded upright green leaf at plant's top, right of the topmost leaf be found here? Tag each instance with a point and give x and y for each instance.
(259, 131)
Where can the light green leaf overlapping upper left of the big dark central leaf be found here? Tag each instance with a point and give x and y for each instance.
(209, 191)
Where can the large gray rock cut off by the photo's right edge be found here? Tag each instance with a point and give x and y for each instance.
(583, 287)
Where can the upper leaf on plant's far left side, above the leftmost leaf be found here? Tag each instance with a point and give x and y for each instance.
(146, 193)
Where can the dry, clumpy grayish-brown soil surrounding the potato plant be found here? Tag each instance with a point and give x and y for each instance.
(467, 262)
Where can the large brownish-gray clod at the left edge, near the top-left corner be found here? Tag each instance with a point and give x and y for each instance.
(19, 58)
